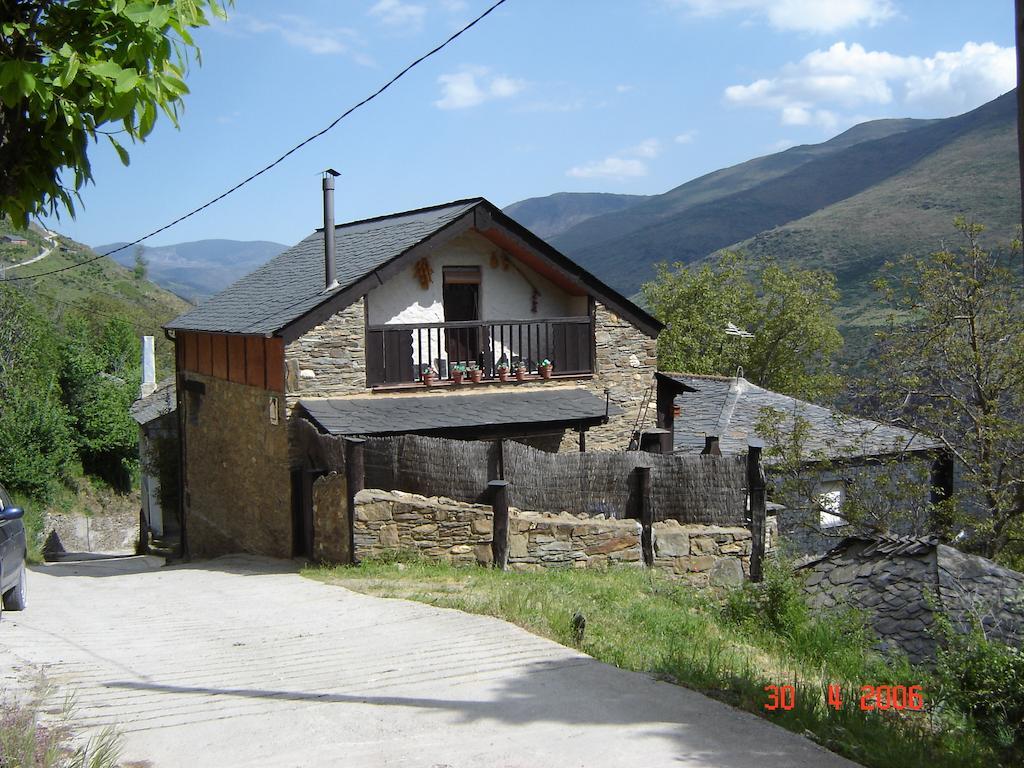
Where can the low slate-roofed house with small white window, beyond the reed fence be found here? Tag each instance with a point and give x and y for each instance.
(841, 458)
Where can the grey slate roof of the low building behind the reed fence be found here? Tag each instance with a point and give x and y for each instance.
(731, 408)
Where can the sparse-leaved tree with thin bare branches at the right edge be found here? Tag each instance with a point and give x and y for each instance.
(951, 364)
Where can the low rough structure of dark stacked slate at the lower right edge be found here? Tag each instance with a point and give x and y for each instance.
(903, 582)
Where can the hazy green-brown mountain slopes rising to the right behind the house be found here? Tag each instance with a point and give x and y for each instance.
(849, 205)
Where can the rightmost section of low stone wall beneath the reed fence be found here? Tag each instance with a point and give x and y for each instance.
(719, 557)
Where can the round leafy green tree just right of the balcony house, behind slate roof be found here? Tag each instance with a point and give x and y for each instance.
(789, 312)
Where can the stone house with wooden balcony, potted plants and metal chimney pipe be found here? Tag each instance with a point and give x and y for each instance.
(363, 329)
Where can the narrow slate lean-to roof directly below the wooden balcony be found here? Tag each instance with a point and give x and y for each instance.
(428, 413)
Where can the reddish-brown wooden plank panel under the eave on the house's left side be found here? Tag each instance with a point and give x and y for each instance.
(254, 361)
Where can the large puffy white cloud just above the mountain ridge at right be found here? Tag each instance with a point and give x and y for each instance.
(848, 77)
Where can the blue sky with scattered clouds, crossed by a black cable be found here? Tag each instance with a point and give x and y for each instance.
(542, 97)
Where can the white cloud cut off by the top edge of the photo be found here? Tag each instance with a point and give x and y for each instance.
(800, 16)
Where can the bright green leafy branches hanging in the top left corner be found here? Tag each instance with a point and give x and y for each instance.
(70, 67)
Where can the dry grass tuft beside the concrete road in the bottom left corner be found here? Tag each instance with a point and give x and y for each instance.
(30, 741)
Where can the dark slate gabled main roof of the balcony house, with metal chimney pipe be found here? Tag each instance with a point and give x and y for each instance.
(291, 286)
